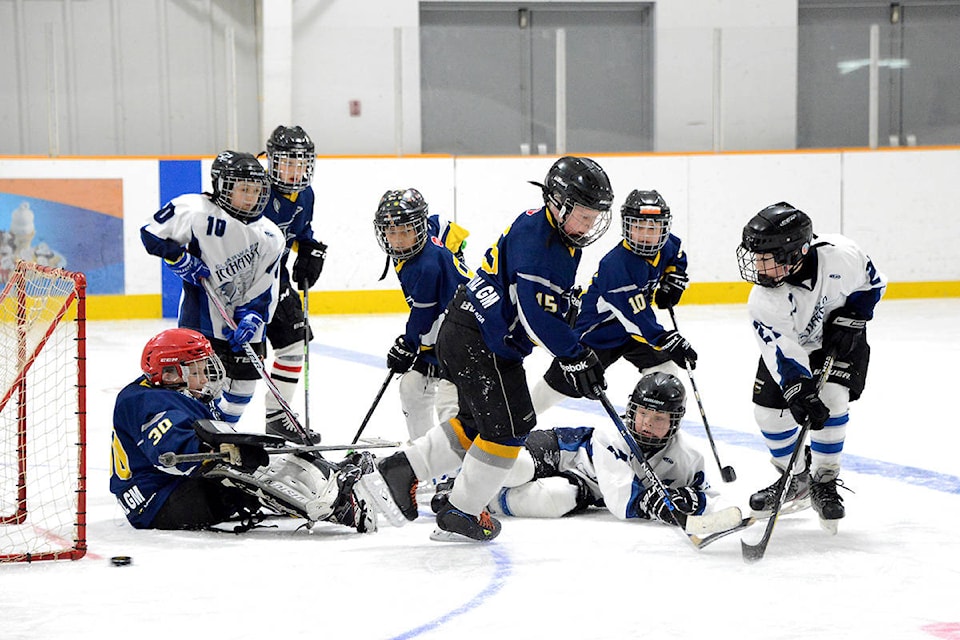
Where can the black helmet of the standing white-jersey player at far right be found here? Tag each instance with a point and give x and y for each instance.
(774, 244)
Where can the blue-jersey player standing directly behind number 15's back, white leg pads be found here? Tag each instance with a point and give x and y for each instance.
(429, 276)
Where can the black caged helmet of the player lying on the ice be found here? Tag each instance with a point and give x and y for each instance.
(663, 394)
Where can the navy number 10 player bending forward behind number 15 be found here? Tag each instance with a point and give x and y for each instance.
(616, 317)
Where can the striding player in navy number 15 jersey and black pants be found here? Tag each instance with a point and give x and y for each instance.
(517, 299)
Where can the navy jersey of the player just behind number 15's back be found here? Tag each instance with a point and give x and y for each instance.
(429, 281)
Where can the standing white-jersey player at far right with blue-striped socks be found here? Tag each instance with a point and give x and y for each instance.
(814, 296)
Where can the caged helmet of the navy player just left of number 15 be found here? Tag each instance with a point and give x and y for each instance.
(401, 223)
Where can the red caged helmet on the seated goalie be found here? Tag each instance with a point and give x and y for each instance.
(183, 359)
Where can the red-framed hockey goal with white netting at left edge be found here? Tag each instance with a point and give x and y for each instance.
(42, 415)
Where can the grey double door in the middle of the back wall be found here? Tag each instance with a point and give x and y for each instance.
(489, 78)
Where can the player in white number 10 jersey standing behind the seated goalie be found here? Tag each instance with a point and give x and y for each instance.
(224, 237)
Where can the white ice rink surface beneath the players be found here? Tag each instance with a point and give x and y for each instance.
(892, 571)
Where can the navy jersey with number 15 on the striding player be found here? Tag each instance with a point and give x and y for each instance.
(520, 294)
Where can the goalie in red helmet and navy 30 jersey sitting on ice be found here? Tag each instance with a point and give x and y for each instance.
(170, 410)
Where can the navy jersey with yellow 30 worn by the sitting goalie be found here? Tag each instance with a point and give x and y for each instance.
(147, 422)
